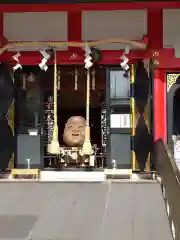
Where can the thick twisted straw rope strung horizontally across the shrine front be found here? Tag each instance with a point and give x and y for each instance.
(52, 44)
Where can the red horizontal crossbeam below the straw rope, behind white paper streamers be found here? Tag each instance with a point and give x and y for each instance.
(165, 58)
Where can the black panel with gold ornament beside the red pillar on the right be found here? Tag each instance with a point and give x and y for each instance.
(142, 138)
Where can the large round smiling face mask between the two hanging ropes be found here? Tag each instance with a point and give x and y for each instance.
(74, 131)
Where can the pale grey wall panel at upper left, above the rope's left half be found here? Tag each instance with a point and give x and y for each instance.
(43, 26)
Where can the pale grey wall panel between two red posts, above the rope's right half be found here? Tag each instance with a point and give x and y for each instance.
(127, 24)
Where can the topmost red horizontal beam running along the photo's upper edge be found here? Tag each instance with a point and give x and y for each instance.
(86, 6)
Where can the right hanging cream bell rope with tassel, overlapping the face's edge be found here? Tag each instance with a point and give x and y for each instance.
(87, 147)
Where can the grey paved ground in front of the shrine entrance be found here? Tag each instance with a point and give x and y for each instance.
(82, 211)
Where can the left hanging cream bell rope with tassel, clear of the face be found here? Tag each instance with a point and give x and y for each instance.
(54, 147)
